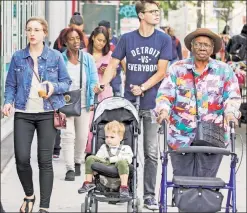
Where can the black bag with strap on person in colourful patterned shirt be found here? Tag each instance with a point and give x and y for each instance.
(207, 132)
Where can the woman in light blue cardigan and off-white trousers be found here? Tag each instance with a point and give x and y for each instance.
(74, 137)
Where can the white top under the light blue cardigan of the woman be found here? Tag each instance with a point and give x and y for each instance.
(74, 72)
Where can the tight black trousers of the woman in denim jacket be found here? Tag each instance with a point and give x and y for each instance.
(25, 125)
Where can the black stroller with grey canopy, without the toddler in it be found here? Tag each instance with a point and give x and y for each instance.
(107, 179)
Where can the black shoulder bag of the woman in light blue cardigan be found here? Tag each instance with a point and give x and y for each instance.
(72, 98)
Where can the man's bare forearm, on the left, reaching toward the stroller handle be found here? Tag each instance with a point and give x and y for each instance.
(110, 71)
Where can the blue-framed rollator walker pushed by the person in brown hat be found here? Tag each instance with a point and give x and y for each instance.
(199, 194)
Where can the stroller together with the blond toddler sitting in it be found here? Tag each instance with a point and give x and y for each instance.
(114, 179)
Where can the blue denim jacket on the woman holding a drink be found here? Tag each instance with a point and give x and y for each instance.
(51, 67)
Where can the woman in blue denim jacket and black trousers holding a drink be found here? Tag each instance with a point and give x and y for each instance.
(34, 112)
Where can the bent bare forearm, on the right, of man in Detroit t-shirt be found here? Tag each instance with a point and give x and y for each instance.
(158, 76)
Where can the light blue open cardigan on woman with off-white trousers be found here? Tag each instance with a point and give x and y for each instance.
(91, 73)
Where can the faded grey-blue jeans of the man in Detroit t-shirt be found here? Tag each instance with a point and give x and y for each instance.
(150, 147)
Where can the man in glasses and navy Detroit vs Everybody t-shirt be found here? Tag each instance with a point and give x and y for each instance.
(147, 53)
